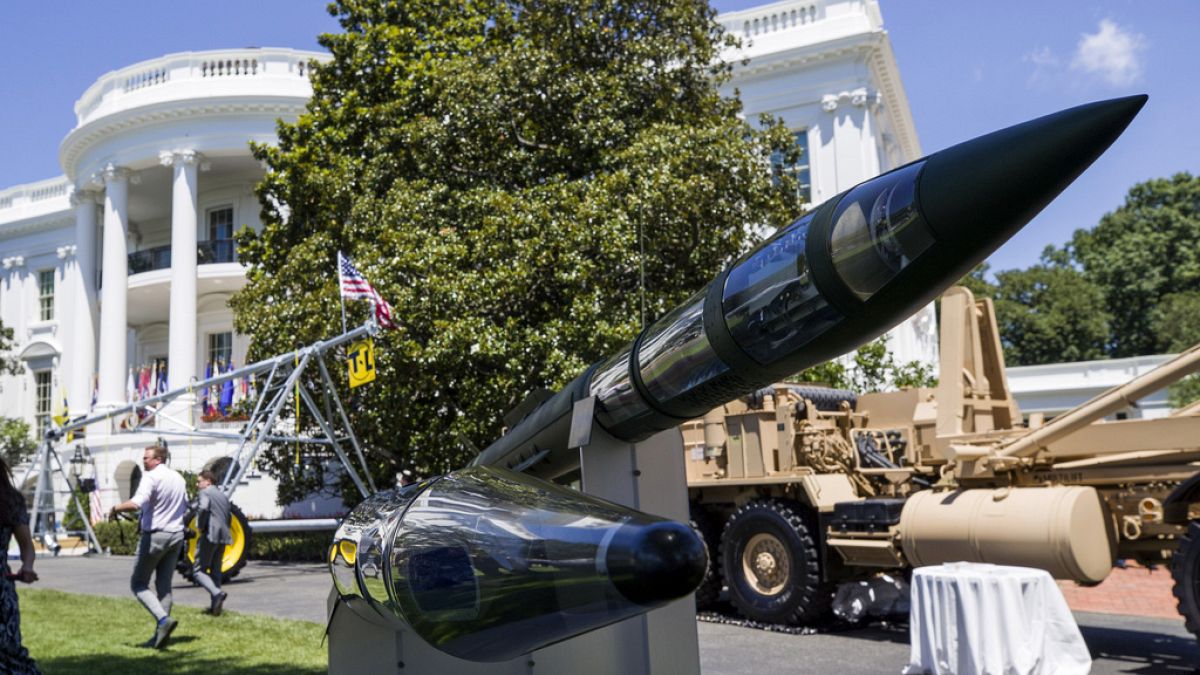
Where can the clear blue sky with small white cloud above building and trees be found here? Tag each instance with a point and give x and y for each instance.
(969, 69)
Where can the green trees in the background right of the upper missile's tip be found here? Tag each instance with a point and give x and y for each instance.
(1129, 286)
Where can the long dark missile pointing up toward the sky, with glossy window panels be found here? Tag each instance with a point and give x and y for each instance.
(837, 278)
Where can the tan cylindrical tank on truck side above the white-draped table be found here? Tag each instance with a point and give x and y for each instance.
(1063, 530)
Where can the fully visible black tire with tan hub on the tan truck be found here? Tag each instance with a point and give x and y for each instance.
(772, 564)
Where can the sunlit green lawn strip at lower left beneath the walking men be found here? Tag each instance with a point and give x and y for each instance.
(71, 634)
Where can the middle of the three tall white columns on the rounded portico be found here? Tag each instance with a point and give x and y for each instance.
(113, 319)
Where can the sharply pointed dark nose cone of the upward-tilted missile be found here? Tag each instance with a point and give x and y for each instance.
(980, 193)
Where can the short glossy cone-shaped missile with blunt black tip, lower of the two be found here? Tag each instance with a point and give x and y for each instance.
(487, 565)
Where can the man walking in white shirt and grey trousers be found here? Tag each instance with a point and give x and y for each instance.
(163, 498)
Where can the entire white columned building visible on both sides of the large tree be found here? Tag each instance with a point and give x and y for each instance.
(123, 267)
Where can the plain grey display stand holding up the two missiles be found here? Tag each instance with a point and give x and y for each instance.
(647, 476)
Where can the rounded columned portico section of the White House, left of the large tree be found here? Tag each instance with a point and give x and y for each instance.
(127, 262)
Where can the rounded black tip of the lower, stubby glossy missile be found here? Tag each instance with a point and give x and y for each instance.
(656, 564)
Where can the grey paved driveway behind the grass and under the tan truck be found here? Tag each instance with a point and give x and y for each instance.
(1119, 644)
